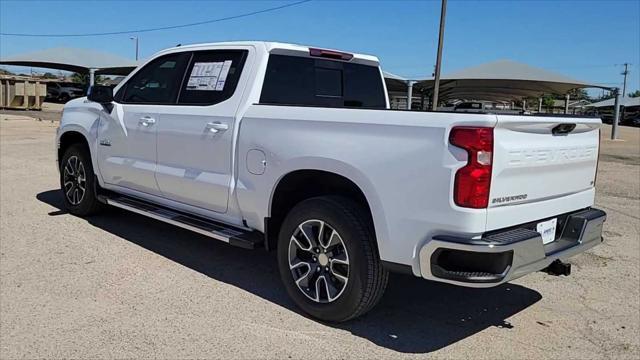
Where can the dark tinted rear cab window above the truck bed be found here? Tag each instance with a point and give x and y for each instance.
(293, 80)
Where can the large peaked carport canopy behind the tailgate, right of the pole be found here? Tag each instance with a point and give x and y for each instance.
(503, 80)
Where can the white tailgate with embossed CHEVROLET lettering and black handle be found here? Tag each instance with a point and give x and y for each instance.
(542, 166)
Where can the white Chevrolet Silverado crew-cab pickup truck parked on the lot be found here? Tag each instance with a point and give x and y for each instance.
(294, 149)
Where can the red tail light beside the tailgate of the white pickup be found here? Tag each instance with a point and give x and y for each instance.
(473, 181)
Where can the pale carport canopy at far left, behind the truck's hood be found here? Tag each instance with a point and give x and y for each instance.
(73, 59)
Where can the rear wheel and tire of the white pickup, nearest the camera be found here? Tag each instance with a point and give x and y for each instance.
(328, 259)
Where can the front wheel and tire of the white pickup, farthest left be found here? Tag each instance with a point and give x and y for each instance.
(78, 181)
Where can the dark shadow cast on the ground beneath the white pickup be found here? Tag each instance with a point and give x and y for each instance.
(415, 316)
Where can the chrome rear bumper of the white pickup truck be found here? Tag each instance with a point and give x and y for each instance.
(505, 255)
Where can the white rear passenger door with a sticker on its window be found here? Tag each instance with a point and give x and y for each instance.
(195, 137)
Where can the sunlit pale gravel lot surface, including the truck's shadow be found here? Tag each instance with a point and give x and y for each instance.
(120, 285)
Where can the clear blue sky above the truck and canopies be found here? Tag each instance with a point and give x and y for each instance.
(585, 40)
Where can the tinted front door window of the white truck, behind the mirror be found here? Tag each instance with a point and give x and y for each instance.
(158, 82)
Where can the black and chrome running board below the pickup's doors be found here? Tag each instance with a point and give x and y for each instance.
(213, 229)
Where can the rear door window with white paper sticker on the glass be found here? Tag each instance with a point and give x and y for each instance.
(212, 77)
